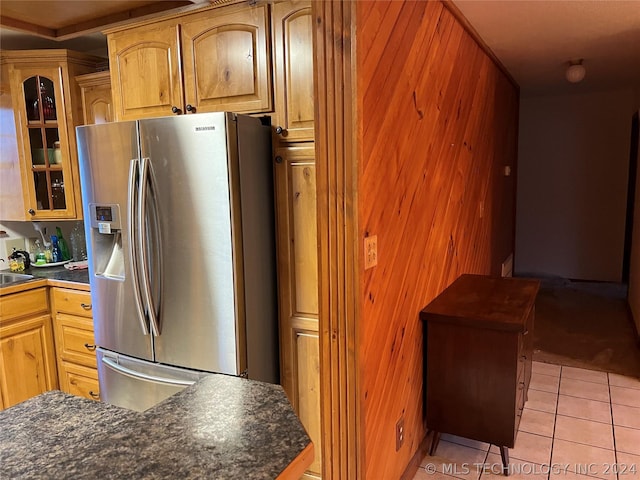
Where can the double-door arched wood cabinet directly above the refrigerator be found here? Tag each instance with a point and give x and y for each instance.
(211, 60)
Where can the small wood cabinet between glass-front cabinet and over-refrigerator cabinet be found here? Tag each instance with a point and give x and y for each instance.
(97, 106)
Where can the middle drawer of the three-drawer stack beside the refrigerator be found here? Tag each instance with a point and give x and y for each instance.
(75, 340)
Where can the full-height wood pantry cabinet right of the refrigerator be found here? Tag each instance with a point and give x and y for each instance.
(295, 189)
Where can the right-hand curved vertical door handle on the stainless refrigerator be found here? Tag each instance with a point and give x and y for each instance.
(146, 179)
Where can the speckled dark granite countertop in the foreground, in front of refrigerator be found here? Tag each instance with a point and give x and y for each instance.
(220, 428)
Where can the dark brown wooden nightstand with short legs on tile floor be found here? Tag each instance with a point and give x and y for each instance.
(478, 348)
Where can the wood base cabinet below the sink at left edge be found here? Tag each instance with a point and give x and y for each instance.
(27, 358)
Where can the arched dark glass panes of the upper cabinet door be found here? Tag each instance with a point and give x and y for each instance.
(44, 143)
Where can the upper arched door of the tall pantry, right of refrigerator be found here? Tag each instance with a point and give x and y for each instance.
(293, 58)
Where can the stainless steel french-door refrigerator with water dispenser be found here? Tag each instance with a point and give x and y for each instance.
(180, 236)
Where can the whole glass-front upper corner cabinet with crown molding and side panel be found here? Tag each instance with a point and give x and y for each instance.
(46, 108)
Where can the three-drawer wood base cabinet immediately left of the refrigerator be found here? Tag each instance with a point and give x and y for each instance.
(75, 347)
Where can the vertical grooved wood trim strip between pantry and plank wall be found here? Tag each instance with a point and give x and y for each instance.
(336, 163)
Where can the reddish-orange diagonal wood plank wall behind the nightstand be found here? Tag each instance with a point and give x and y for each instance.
(438, 123)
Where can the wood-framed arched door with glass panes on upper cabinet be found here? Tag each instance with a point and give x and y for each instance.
(42, 128)
